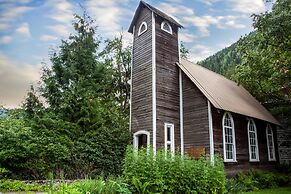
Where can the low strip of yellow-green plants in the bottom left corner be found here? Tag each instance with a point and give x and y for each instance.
(7, 185)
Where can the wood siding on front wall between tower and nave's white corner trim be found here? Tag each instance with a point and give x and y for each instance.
(195, 111)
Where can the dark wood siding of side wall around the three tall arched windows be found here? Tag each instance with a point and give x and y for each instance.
(242, 146)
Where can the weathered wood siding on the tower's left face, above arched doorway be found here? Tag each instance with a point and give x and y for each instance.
(142, 75)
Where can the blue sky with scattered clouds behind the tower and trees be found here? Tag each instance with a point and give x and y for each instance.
(30, 28)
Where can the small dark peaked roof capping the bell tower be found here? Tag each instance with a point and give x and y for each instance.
(153, 9)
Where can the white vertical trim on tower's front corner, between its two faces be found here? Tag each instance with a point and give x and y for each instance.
(154, 83)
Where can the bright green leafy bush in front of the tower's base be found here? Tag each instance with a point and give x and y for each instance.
(146, 173)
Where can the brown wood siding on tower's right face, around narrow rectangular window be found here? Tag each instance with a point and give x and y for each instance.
(167, 82)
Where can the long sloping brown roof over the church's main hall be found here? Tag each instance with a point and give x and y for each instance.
(224, 93)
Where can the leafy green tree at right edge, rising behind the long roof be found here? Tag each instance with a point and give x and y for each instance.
(266, 59)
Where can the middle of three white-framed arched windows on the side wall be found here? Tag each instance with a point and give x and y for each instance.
(253, 141)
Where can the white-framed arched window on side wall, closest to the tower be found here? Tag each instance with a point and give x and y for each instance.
(228, 138)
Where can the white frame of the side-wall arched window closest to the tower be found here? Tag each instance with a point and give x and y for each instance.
(233, 137)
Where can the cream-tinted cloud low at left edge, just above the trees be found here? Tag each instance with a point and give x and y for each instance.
(15, 79)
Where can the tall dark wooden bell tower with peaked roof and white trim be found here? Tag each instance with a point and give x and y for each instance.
(155, 108)
